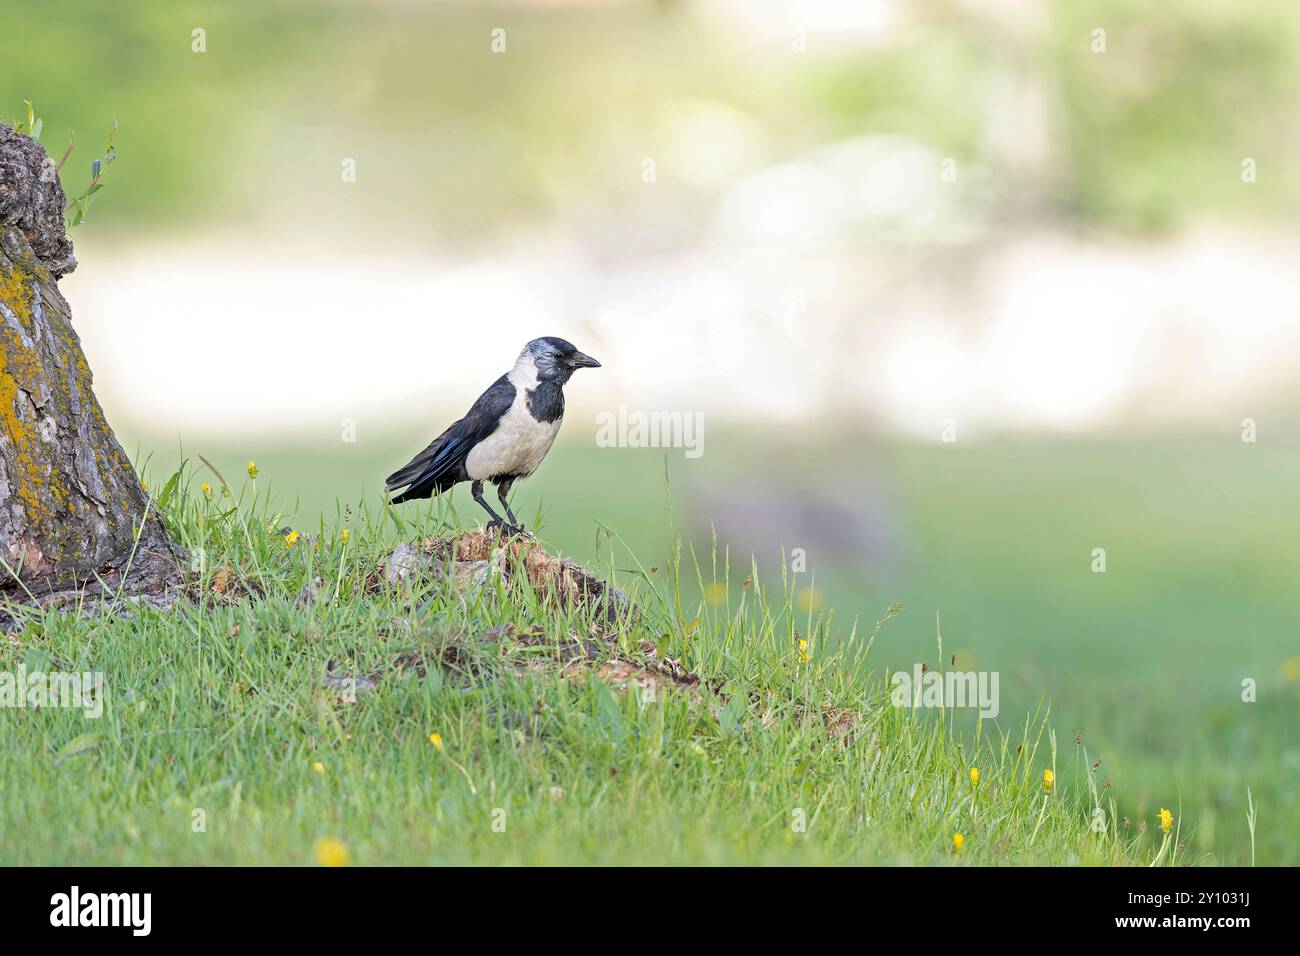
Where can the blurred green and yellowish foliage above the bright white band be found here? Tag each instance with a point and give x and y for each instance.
(1145, 136)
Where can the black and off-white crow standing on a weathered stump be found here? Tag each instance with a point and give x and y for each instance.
(505, 436)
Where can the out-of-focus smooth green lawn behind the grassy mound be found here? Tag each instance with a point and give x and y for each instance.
(1146, 661)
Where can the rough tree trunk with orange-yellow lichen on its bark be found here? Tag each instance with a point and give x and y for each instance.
(76, 525)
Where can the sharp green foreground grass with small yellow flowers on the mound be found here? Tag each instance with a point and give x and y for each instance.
(219, 707)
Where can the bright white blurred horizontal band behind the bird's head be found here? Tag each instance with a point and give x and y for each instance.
(1056, 332)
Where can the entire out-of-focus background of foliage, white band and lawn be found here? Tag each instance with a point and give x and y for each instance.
(1108, 296)
